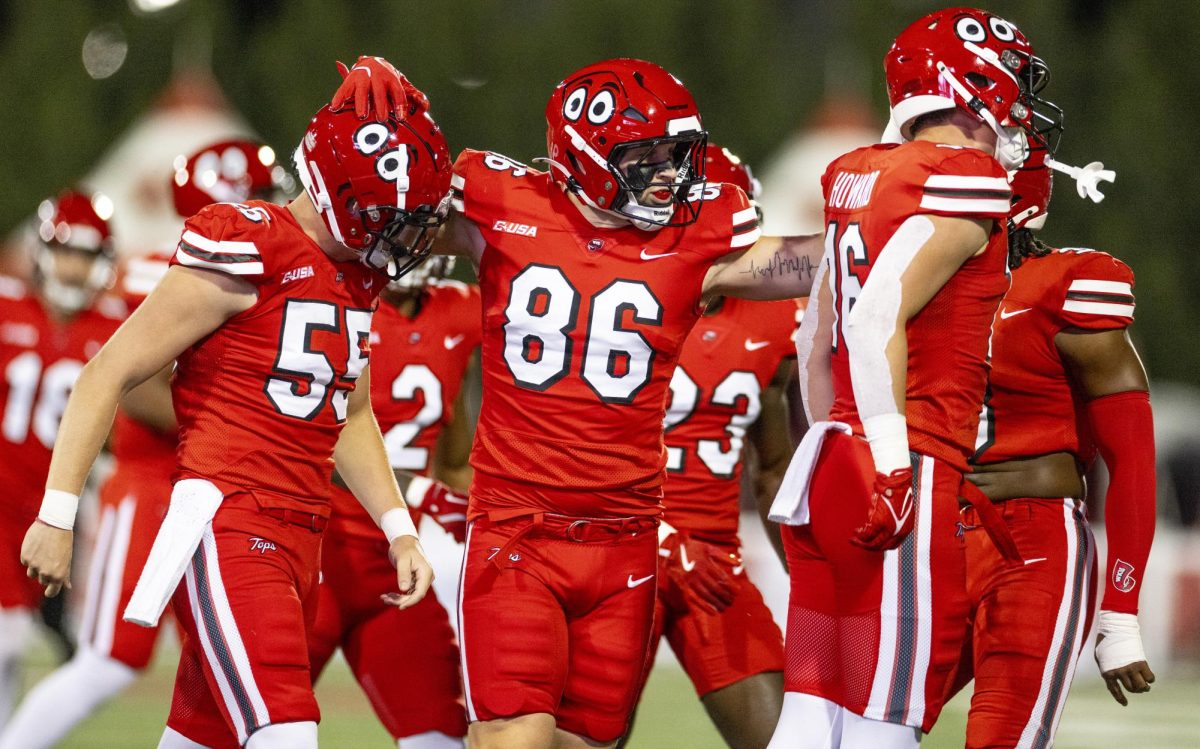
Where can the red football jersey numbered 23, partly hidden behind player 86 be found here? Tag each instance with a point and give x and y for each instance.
(728, 362)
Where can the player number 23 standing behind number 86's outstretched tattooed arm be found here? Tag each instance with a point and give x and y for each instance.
(728, 388)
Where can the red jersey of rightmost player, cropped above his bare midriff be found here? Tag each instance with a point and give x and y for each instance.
(1031, 408)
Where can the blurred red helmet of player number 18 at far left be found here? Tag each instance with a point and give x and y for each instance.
(74, 223)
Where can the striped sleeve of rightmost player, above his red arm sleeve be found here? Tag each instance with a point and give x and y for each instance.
(1099, 295)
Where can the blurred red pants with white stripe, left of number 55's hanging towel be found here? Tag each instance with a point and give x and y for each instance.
(133, 505)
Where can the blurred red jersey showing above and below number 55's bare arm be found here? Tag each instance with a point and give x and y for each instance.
(135, 445)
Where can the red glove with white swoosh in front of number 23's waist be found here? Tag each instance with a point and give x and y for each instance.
(704, 572)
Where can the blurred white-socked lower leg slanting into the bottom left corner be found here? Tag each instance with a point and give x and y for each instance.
(61, 702)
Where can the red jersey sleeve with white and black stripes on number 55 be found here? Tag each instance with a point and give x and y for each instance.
(221, 238)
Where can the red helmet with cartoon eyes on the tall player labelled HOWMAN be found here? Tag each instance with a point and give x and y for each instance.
(976, 62)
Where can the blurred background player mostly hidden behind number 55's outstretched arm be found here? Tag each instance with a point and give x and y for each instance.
(134, 500)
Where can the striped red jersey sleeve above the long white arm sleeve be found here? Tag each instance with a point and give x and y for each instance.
(964, 182)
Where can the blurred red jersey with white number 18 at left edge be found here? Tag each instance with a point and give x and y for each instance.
(41, 361)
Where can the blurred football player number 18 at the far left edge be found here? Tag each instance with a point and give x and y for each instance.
(49, 331)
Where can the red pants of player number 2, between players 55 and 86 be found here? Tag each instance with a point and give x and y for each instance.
(415, 688)
